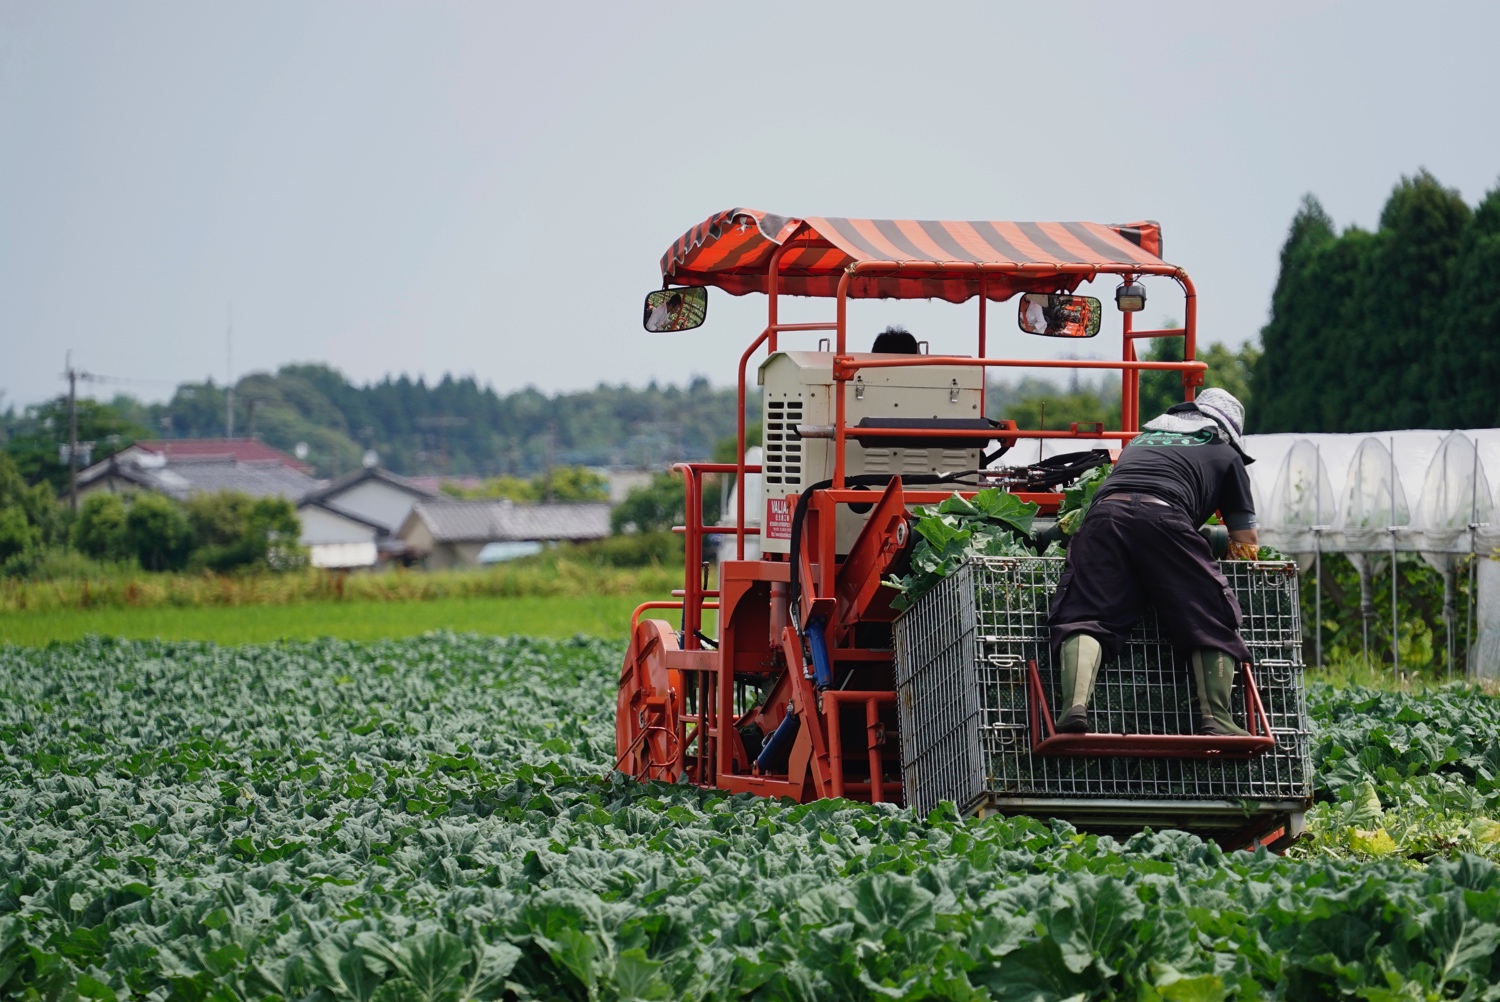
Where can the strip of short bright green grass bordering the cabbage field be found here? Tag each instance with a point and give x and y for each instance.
(596, 616)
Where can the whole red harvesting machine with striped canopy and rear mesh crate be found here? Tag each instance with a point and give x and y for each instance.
(812, 685)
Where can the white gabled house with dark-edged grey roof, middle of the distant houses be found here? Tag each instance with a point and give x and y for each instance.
(353, 521)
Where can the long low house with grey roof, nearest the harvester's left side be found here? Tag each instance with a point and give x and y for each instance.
(467, 533)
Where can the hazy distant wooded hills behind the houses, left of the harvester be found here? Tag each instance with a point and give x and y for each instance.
(454, 427)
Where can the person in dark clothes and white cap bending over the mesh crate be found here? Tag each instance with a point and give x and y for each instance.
(1141, 542)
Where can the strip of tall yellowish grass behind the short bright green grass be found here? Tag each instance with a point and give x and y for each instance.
(136, 590)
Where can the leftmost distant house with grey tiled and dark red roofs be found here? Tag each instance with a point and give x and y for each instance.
(185, 467)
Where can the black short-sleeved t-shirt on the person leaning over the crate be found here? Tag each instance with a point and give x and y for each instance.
(1195, 472)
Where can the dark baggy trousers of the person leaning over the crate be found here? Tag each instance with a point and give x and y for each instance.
(1130, 554)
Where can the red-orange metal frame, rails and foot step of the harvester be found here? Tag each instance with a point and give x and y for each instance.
(763, 641)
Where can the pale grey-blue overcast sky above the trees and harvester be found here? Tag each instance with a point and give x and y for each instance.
(487, 188)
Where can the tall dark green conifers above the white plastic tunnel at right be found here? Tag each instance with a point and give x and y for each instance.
(1387, 329)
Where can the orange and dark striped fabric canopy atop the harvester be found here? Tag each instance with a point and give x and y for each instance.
(733, 251)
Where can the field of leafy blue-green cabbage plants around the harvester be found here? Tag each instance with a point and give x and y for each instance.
(436, 820)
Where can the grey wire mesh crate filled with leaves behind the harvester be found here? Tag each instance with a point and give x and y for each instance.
(962, 658)
